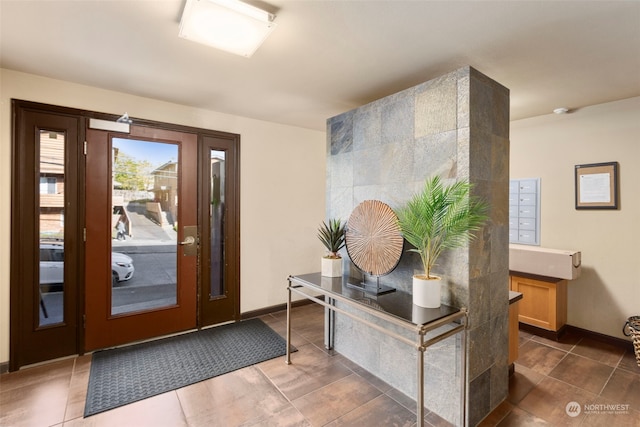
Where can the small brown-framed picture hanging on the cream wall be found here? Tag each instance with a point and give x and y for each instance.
(597, 186)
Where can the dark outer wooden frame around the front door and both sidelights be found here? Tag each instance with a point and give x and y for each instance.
(18, 264)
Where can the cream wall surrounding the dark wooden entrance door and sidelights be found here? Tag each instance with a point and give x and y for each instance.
(282, 184)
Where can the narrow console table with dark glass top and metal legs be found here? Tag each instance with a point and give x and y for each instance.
(395, 308)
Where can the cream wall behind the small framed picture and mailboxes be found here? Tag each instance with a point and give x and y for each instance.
(549, 147)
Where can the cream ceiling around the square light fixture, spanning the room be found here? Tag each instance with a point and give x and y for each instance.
(327, 57)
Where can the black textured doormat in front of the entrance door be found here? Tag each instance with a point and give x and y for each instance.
(125, 375)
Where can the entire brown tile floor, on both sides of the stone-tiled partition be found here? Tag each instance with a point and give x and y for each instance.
(321, 389)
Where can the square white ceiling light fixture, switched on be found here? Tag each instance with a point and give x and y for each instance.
(229, 25)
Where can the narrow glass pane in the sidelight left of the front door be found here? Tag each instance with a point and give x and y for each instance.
(51, 228)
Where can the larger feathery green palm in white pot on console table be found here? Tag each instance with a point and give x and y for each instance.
(438, 218)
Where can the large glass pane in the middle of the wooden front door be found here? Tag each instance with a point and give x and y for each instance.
(144, 222)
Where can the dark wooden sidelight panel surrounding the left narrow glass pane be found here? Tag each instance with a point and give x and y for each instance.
(51, 340)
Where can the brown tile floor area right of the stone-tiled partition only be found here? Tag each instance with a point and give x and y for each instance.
(604, 380)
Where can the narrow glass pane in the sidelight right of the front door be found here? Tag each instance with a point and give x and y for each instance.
(216, 217)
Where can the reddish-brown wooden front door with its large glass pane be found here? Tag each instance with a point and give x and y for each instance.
(141, 235)
